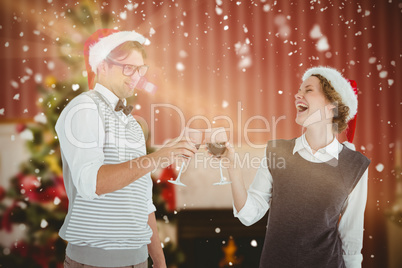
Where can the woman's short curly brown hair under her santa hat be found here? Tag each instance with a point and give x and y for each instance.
(341, 111)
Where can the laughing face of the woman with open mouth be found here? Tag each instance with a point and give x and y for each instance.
(312, 105)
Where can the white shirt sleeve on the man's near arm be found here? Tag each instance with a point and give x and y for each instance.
(81, 135)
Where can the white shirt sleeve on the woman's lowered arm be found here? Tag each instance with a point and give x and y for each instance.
(352, 223)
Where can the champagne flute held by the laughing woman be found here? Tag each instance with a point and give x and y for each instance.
(215, 140)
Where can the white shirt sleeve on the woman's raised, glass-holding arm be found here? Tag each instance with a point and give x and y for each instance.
(258, 197)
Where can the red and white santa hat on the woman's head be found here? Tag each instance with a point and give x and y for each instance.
(346, 89)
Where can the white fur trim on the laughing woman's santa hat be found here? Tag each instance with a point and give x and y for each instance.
(339, 83)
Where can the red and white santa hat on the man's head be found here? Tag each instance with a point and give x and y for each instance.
(101, 43)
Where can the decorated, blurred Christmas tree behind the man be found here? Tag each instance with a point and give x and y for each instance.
(36, 201)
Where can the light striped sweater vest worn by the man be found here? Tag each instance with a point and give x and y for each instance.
(117, 220)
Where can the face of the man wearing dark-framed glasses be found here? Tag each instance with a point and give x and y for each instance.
(111, 76)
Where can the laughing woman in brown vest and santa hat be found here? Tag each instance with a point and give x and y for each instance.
(316, 197)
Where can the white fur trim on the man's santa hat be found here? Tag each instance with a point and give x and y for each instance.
(100, 50)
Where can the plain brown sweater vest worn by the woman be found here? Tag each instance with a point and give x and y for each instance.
(306, 204)
